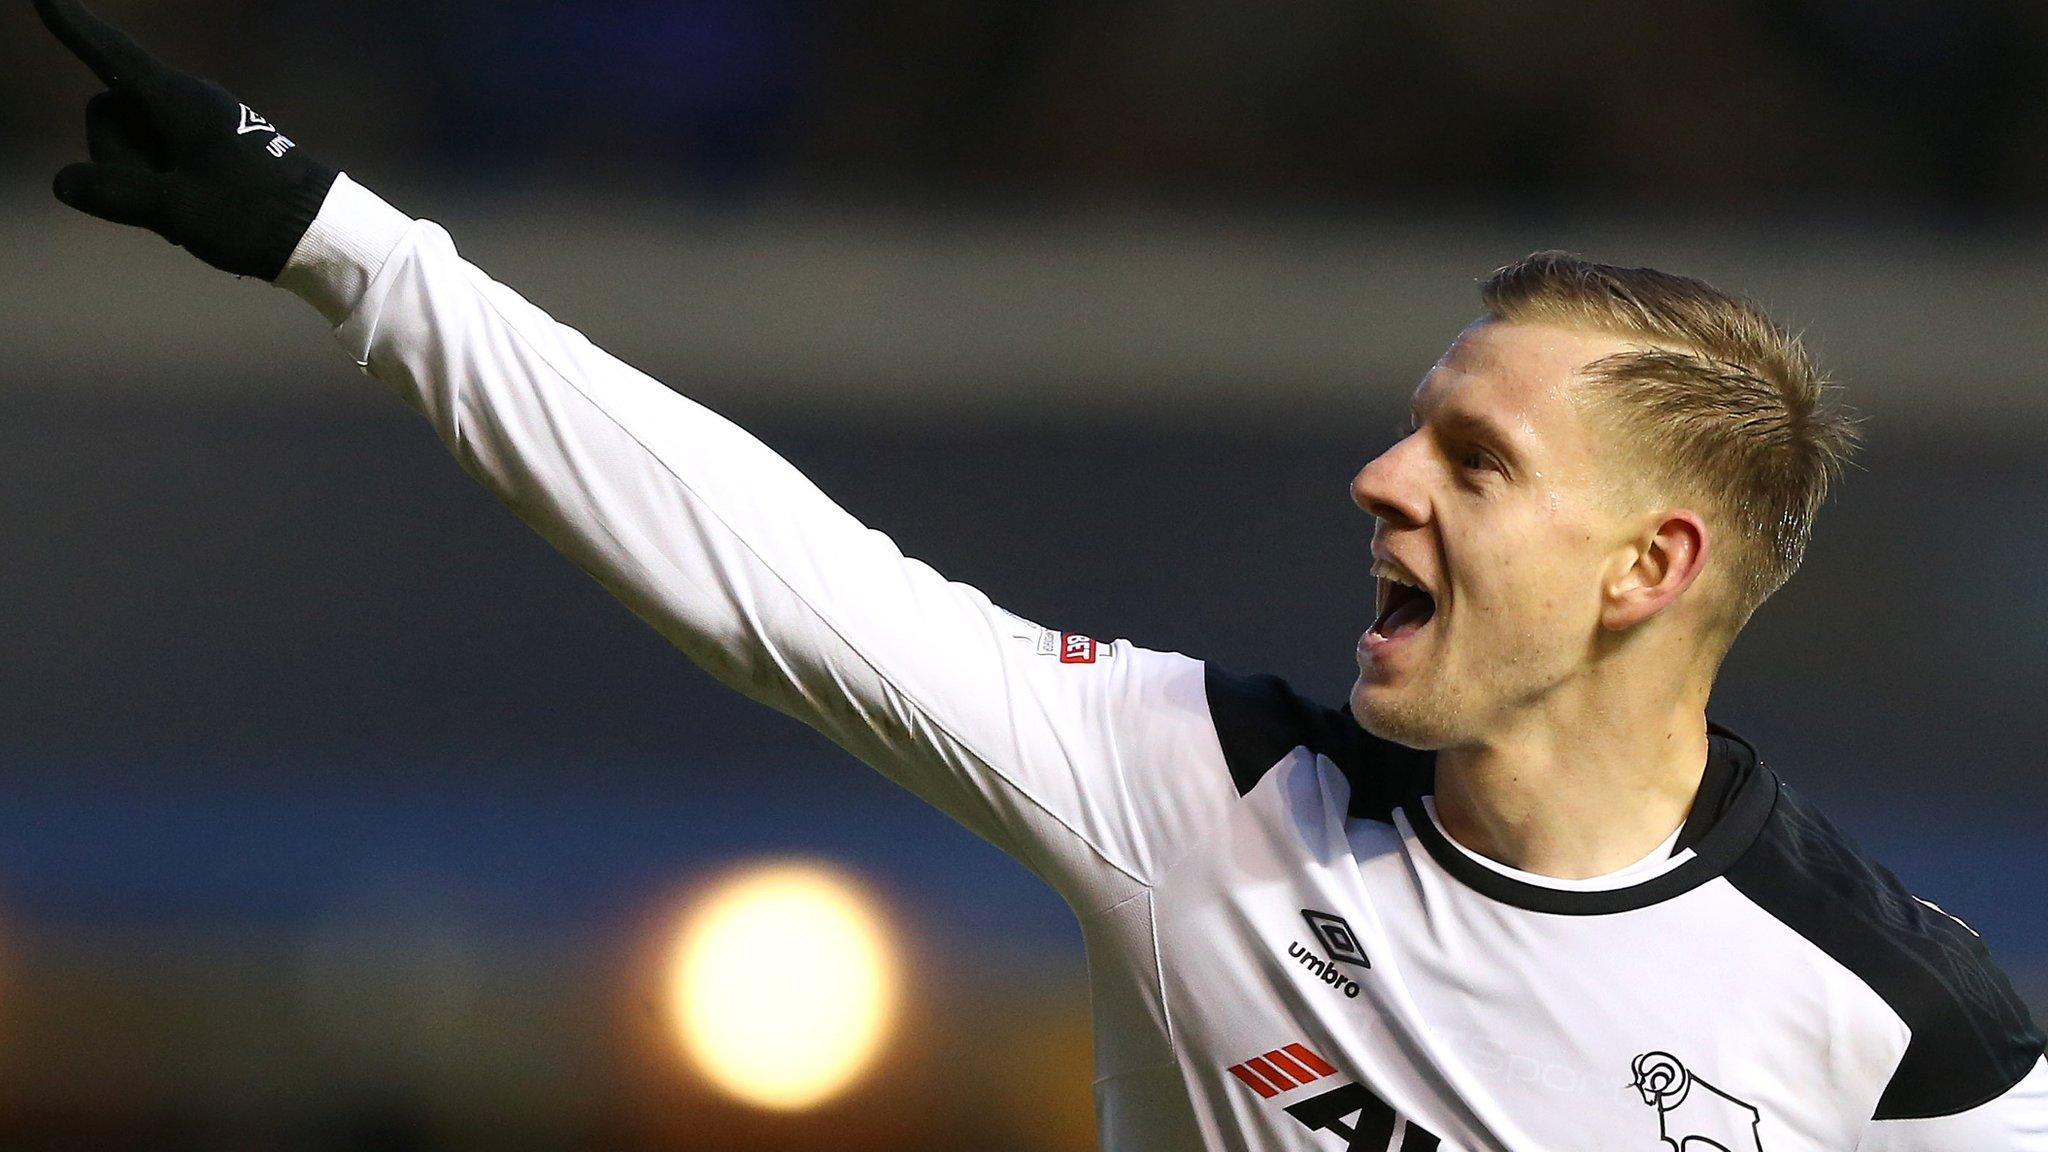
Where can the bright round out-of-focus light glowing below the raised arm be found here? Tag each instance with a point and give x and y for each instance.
(783, 985)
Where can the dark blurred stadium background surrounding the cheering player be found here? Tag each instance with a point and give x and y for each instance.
(337, 813)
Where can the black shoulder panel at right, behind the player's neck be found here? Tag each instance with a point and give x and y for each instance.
(1971, 1036)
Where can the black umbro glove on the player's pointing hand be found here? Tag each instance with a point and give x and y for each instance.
(183, 159)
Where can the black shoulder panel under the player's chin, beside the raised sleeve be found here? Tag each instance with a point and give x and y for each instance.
(1261, 721)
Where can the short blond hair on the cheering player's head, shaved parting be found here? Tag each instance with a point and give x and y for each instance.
(1717, 403)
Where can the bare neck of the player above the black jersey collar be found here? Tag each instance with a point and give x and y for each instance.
(1576, 796)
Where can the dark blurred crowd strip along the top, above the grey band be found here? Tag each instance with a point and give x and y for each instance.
(1926, 108)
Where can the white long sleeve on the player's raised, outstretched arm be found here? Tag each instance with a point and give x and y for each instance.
(1095, 766)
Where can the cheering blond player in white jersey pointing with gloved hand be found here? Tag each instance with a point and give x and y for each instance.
(1527, 901)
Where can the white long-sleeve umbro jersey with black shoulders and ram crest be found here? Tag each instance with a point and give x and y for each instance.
(1285, 948)
